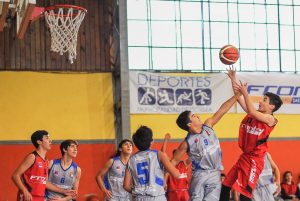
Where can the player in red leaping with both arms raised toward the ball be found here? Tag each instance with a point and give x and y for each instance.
(254, 131)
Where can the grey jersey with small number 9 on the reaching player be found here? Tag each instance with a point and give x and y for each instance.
(204, 150)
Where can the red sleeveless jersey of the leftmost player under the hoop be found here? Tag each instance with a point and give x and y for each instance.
(35, 177)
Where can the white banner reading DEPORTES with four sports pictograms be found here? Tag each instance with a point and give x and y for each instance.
(174, 93)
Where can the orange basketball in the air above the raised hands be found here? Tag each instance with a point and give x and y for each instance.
(229, 54)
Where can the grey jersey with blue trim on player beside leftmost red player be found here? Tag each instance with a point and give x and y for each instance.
(64, 179)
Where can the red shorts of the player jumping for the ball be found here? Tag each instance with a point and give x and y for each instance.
(244, 175)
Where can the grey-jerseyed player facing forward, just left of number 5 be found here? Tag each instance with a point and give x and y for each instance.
(113, 173)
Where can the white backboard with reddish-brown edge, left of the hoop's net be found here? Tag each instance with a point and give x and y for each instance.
(24, 12)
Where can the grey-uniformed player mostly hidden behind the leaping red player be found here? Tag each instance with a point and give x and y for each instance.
(266, 187)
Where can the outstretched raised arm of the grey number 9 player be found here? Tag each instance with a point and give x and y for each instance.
(221, 111)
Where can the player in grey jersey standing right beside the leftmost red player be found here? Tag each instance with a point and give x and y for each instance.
(64, 172)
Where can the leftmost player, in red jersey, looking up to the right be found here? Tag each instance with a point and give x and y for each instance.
(31, 175)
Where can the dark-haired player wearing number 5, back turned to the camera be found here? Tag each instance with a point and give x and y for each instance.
(144, 175)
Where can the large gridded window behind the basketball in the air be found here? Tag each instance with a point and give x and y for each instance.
(188, 34)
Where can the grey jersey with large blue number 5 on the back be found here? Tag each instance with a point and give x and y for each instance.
(147, 174)
